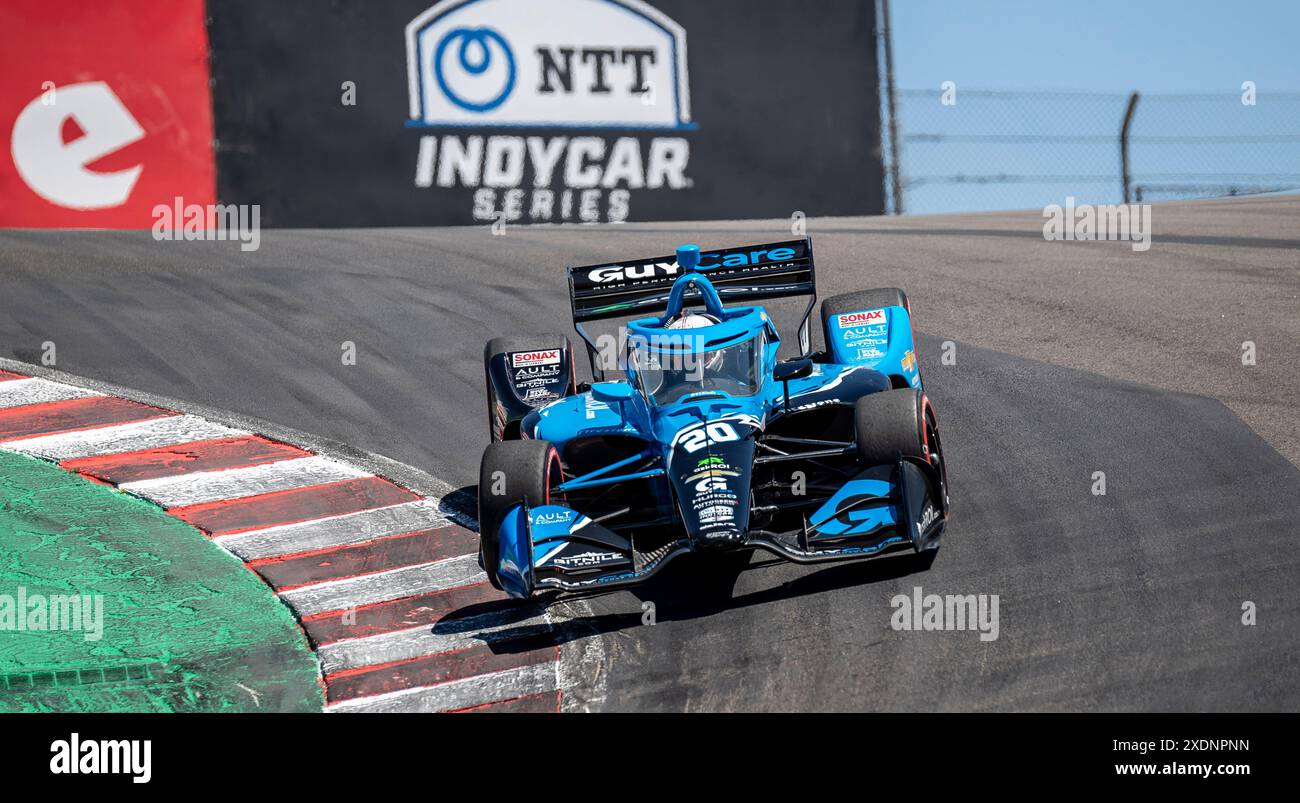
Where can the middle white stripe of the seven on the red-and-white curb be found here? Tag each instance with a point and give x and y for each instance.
(336, 531)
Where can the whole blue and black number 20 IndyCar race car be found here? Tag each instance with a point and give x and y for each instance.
(710, 444)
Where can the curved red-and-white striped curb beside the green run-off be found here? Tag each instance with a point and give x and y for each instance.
(387, 587)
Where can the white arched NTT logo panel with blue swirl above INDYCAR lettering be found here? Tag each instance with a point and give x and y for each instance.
(564, 63)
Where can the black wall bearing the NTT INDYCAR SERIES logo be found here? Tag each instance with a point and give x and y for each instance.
(414, 112)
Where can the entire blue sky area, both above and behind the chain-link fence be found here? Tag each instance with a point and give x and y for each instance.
(1042, 89)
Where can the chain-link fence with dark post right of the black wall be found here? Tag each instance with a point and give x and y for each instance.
(980, 150)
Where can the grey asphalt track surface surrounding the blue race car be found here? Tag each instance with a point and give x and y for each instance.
(1071, 359)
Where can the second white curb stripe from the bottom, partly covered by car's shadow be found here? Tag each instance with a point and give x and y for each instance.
(432, 640)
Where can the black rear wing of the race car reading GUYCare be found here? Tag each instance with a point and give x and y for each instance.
(744, 274)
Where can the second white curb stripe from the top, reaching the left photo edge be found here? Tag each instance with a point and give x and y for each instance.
(133, 437)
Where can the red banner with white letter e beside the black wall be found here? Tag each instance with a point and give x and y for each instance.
(105, 110)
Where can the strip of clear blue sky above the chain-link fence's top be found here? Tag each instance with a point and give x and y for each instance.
(1189, 46)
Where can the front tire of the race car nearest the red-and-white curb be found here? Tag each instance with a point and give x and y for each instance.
(522, 471)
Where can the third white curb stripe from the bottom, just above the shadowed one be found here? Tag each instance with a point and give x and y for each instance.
(383, 587)
